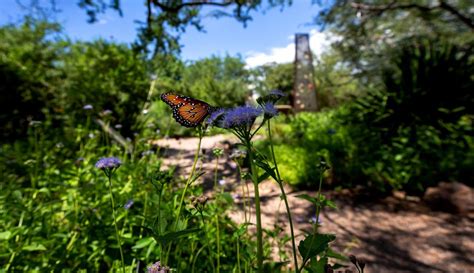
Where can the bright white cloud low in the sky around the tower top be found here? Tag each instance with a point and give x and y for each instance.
(318, 41)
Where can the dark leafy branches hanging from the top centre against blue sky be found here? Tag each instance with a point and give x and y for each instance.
(166, 20)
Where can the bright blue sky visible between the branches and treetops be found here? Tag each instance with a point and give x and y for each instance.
(267, 38)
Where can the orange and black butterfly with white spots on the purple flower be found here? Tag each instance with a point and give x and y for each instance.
(187, 111)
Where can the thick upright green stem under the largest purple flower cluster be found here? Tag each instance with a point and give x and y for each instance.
(257, 209)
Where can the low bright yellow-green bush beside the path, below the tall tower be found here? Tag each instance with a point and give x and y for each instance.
(307, 138)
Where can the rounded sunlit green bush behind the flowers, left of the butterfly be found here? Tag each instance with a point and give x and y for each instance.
(109, 77)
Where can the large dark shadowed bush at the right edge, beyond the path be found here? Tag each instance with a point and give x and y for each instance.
(417, 127)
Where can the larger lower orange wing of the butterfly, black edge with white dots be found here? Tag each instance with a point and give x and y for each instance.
(191, 114)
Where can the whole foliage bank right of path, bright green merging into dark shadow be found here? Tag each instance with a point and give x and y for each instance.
(410, 132)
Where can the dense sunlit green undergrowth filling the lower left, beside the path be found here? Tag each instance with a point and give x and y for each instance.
(55, 201)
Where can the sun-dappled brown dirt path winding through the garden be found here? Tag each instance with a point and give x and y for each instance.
(391, 235)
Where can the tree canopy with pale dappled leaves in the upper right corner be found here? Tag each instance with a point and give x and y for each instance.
(368, 28)
